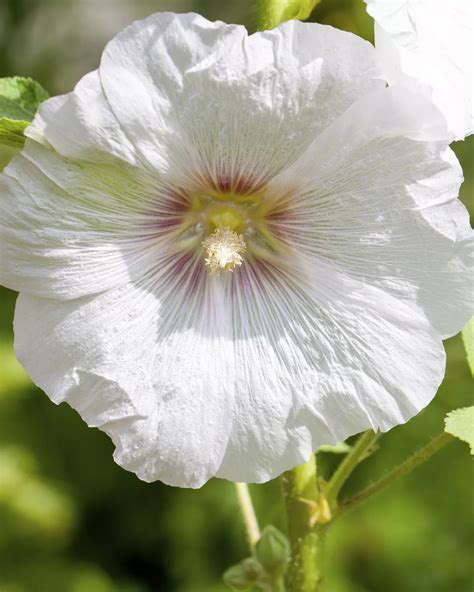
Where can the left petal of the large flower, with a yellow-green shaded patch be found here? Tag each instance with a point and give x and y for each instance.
(69, 228)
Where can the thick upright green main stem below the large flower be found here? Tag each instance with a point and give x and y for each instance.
(306, 541)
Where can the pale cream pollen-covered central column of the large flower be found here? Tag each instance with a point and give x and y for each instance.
(224, 249)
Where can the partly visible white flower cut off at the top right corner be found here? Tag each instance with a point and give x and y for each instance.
(427, 44)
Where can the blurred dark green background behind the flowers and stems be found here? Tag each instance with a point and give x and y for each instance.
(73, 521)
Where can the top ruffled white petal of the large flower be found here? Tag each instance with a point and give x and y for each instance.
(208, 99)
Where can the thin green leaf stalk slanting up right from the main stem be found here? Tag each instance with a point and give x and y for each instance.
(403, 469)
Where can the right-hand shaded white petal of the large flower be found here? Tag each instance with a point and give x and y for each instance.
(376, 195)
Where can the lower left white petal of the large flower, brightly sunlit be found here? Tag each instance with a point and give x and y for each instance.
(150, 364)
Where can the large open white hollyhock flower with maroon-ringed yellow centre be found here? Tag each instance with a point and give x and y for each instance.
(233, 249)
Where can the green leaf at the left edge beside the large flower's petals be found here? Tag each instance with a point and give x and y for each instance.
(19, 100)
